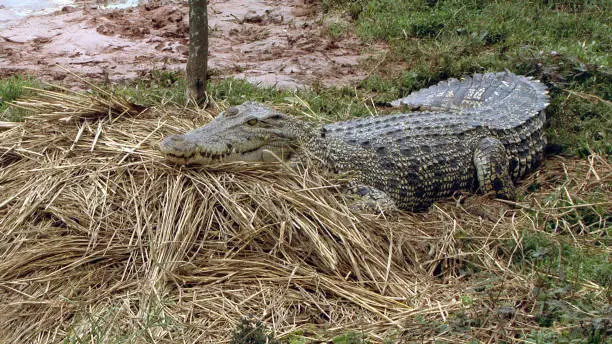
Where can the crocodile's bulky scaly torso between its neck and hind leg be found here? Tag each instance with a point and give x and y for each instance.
(415, 158)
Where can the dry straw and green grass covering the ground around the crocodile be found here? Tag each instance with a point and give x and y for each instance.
(101, 234)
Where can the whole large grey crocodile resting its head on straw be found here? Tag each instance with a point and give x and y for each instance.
(481, 133)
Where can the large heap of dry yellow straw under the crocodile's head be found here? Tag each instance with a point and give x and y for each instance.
(102, 240)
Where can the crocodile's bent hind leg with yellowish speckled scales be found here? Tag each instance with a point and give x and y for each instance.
(492, 168)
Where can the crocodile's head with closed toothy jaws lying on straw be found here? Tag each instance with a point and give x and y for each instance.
(247, 132)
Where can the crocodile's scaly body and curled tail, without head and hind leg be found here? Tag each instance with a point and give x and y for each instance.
(421, 156)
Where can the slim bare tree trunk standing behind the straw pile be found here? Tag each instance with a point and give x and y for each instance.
(198, 50)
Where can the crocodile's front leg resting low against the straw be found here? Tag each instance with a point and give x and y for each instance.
(369, 199)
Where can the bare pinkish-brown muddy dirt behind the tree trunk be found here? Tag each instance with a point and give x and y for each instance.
(267, 42)
